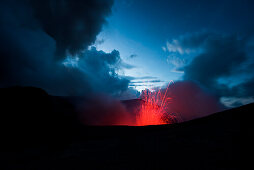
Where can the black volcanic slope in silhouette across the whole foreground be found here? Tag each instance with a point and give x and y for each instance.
(42, 132)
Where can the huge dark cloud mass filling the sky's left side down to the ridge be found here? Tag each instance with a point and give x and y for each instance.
(32, 31)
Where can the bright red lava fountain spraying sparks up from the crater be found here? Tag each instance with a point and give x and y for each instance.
(153, 110)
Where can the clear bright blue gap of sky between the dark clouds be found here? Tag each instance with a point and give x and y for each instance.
(143, 31)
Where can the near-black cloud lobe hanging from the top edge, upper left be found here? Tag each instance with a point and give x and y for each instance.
(73, 24)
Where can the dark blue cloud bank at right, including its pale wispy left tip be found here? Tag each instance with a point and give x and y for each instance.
(216, 58)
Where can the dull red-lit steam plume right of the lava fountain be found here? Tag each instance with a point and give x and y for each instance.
(190, 101)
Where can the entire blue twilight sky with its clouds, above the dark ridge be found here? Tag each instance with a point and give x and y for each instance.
(99, 46)
